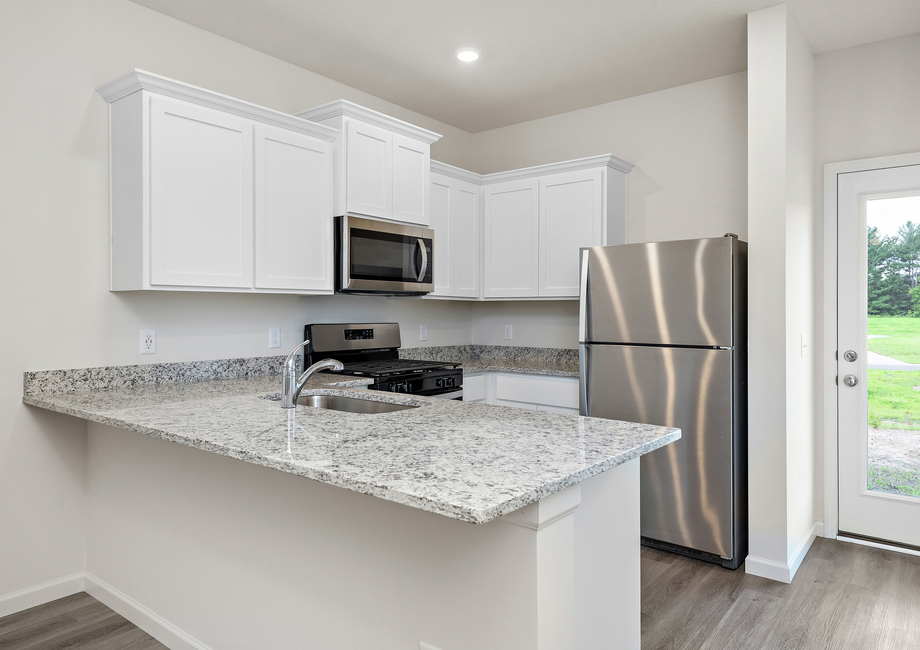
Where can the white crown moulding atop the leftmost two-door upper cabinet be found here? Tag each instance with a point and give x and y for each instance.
(141, 80)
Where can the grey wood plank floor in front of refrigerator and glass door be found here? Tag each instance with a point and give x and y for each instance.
(844, 597)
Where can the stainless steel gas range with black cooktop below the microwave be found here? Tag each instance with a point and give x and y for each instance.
(372, 350)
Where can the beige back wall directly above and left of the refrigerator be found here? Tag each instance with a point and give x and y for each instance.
(689, 146)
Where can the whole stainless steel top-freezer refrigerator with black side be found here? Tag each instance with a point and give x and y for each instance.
(663, 340)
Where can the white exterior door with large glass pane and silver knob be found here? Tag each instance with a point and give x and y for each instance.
(878, 336)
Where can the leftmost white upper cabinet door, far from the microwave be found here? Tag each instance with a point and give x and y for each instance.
(201, 207)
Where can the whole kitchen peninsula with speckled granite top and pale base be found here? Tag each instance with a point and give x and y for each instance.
(205, 551)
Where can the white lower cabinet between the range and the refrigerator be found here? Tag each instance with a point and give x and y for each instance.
(535, 392)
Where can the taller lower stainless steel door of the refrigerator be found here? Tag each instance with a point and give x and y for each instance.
(686, 486)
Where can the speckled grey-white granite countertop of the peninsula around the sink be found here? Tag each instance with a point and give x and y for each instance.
(472, 462)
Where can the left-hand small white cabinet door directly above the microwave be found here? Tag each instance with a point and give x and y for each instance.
(369, 155)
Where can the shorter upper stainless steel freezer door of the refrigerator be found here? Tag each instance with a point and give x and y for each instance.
(666, 293)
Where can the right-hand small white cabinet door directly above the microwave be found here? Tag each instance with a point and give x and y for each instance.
(411, 180)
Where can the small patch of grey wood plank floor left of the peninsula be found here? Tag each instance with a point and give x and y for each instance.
(78, 622)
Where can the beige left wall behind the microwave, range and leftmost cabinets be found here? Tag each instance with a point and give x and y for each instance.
(54, 202)
